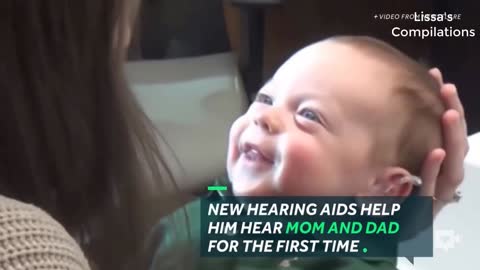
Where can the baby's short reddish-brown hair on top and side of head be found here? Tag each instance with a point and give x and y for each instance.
(417, 127)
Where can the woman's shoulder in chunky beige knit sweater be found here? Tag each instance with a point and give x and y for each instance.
(30, 239)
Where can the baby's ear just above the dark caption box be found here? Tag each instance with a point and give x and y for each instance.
(394, 181)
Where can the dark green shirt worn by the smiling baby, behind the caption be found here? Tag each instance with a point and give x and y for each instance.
(179, 248)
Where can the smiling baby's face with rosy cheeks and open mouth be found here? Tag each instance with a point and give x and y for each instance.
(309, 131)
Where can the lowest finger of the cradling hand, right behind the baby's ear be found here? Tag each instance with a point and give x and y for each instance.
(430, 172)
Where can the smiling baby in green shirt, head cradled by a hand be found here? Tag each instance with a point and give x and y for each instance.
(348, 116)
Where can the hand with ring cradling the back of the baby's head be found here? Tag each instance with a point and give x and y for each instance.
(443, 169)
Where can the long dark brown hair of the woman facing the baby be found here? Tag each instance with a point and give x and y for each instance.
(73, 139)
